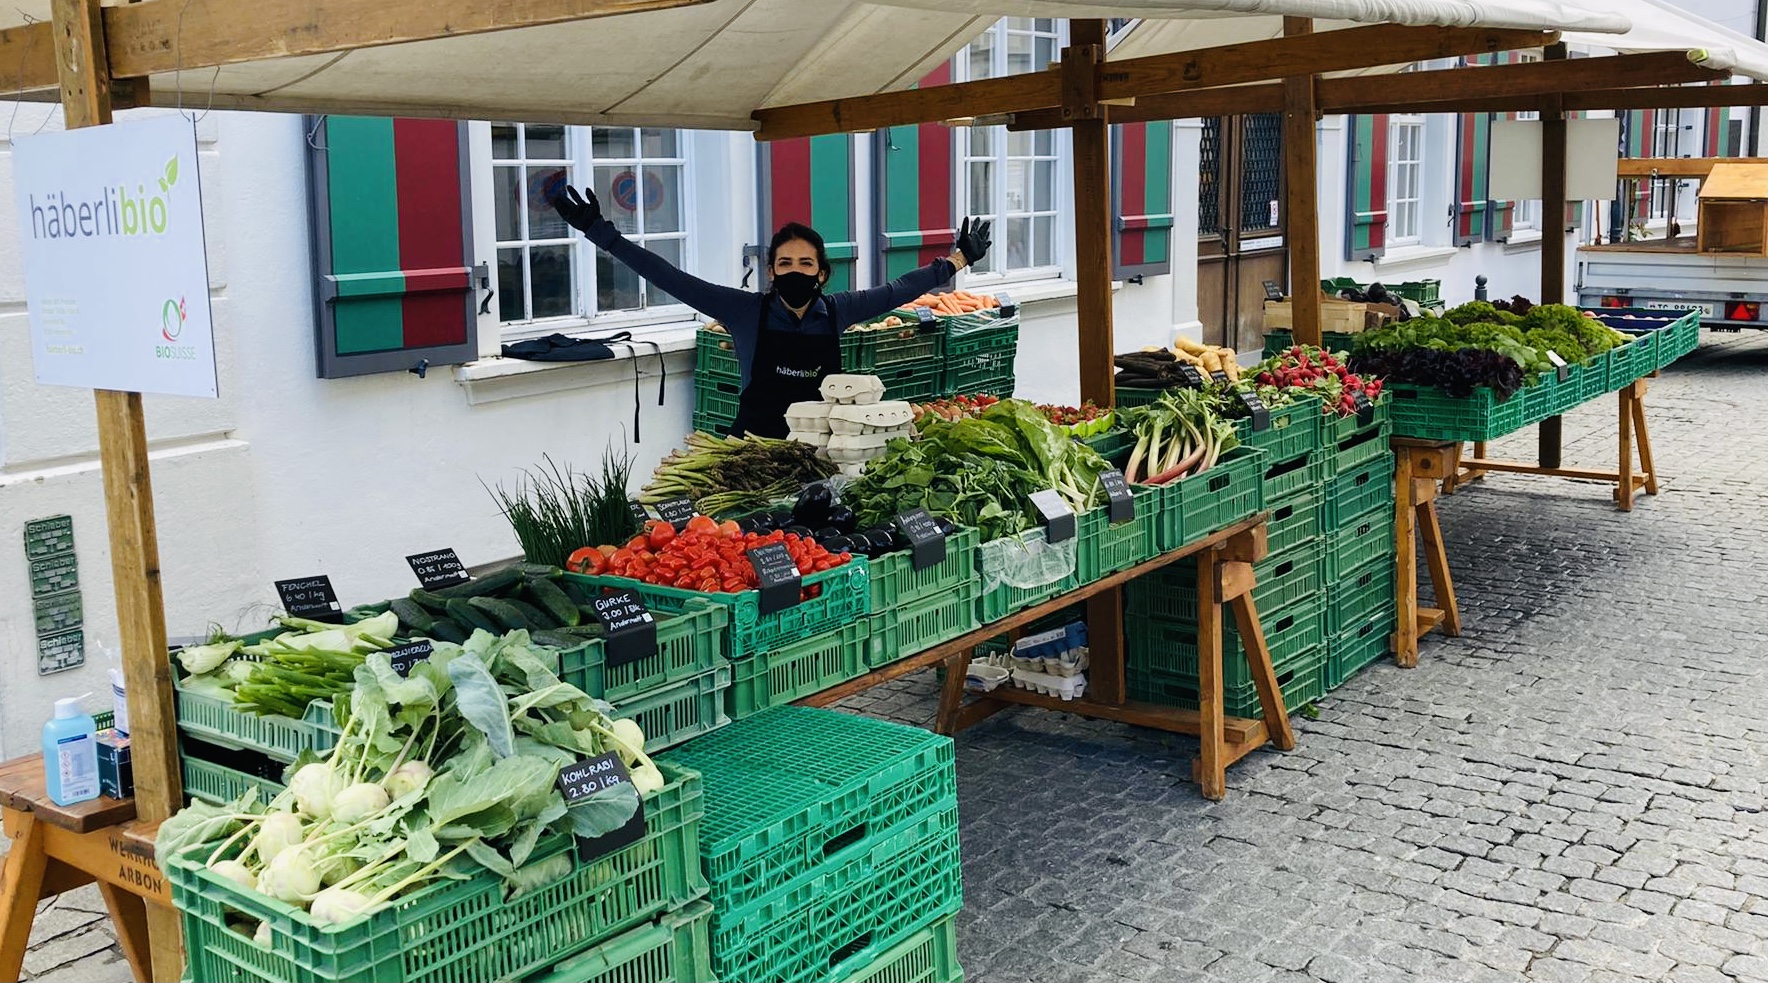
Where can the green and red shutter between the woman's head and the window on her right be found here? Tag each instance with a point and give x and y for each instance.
(917, 201)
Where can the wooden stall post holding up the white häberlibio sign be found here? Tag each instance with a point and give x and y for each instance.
(84, 72)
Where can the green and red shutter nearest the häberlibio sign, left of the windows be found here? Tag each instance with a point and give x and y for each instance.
(393, 245)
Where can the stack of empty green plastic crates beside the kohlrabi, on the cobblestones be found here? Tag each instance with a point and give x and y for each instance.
(830, 846)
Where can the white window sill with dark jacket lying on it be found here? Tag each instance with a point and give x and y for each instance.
(496, 379)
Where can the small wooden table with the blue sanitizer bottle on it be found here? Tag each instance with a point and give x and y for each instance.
(63, 848)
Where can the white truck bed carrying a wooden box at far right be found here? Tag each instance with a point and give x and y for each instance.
(1719, 275)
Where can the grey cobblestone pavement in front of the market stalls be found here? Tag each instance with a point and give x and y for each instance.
(1573, 791)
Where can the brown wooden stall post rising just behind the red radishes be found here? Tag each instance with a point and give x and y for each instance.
(1302, 197)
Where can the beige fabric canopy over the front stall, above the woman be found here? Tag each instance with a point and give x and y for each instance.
(701, 65)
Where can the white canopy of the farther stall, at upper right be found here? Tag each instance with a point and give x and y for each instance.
(1654, 26)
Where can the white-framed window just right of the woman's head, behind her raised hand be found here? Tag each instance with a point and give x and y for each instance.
(1014, 178)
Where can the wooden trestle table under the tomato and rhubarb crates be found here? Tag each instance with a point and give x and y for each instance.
(1224, 577)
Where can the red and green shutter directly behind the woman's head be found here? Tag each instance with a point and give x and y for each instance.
(811, 181)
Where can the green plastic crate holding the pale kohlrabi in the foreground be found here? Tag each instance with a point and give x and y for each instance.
(455, 931)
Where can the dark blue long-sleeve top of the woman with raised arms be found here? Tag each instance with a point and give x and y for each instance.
(740, 310)
